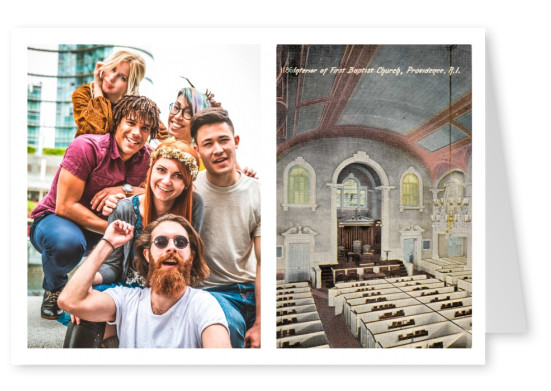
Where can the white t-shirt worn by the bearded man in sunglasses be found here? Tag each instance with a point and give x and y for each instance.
(180, 327)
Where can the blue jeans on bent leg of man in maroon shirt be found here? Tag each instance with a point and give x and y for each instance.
(62, 244)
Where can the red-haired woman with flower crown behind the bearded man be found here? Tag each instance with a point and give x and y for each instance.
(169, 189)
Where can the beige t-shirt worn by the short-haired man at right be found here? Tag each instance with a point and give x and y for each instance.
(231, 221)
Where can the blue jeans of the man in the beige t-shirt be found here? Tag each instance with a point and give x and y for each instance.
(239, 305)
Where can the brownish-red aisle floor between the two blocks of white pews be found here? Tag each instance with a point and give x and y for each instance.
(336, 331)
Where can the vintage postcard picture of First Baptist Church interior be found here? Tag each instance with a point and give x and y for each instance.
(374, 196)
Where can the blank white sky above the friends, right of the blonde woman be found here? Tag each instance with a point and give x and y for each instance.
(231, 72)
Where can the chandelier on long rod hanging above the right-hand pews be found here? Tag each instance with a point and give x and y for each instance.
(452, 208)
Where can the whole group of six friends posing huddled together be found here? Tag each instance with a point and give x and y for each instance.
(157, 214)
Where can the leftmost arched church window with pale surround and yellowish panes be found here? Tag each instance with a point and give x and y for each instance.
(299, 185)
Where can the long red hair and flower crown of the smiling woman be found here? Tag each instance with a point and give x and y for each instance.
(183, 203)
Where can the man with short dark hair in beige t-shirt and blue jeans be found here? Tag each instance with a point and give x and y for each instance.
(231, 226)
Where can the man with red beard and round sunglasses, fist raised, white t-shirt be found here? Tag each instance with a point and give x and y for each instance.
(167, 313)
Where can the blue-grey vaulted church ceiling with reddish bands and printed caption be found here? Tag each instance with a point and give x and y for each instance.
(395, 94)
